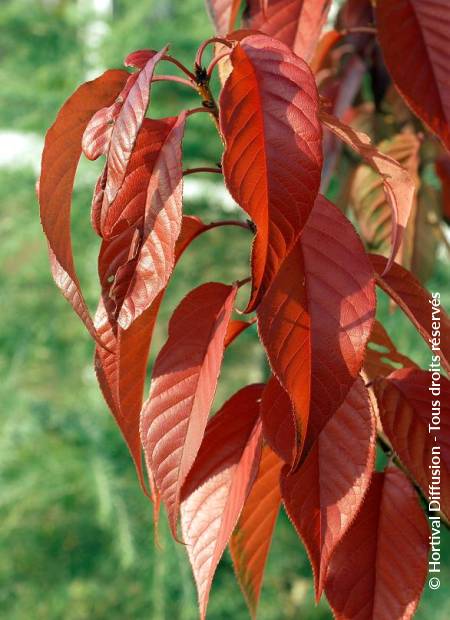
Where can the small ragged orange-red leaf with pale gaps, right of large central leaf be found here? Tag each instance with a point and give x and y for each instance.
(382, 356)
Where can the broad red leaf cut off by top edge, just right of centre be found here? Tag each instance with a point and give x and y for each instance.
(297, 23)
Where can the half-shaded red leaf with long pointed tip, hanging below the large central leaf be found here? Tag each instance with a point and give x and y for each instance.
(325, 494)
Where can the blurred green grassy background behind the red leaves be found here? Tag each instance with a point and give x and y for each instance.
(76, 540)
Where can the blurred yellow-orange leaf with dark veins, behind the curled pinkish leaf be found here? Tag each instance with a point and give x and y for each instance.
(369, 202)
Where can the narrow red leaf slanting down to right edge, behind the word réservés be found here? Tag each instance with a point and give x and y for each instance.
(416, 303)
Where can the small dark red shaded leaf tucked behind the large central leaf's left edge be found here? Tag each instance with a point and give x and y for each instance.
(278, 421)
